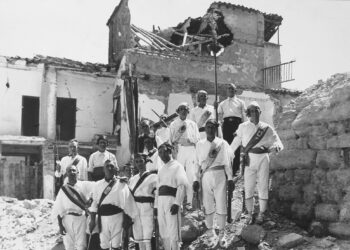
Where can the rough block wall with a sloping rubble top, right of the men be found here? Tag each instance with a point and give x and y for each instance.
(310, 179)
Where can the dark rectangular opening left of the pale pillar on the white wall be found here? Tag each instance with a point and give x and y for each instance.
(30, 115)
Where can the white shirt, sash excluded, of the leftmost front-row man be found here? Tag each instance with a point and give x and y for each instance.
(64, 205)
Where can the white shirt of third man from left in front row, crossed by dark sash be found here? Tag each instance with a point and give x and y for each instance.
(147, 187)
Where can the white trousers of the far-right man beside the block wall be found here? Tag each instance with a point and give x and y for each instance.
(257, 174)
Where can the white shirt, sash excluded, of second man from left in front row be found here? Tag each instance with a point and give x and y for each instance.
(120, 196)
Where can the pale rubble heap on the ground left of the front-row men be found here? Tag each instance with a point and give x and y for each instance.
(27, 224)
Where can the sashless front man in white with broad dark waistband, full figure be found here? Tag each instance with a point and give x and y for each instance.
(171, 186)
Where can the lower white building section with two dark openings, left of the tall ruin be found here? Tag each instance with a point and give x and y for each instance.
(46, 102)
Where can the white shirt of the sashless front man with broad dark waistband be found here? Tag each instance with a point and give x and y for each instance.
(173, 174)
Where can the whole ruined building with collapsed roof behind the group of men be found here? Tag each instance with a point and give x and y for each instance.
(48, 101)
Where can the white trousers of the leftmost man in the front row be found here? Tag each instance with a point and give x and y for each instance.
(75, 237)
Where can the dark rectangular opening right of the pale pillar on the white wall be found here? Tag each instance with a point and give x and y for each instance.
(66, 118)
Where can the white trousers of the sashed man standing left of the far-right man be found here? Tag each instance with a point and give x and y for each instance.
(214, 192)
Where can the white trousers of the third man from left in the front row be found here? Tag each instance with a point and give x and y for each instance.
(143, 224)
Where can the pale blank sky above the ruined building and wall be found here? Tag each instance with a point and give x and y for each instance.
(316, 33)
